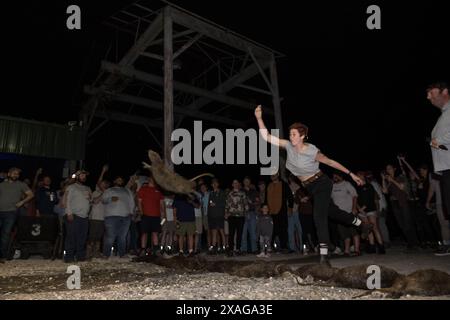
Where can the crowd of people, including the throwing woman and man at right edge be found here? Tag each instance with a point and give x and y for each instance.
(308, 212)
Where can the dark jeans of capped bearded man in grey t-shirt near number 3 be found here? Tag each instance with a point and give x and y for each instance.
(76, 237)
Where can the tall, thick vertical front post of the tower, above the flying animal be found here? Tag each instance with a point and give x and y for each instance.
(168, 85)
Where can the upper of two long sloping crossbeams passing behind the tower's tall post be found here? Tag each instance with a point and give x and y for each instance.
(154, 79)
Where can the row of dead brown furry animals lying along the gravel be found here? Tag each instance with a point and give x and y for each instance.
(393, 285)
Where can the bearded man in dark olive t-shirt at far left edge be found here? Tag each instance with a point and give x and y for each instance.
(11, 193)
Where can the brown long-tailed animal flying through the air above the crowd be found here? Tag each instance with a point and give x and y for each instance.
(168, 179)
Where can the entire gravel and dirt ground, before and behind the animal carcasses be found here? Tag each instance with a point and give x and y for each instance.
(115, 278)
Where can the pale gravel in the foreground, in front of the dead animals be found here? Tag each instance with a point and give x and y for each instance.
(123, 279)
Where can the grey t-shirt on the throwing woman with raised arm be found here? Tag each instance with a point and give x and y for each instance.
(302, 164)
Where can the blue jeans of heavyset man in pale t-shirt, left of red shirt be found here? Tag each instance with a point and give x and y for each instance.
(116, 227)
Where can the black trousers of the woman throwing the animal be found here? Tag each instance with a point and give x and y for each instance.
(324, 208)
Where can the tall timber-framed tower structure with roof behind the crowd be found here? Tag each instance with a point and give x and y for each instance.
(178, 65)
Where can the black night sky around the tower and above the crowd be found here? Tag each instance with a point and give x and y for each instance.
(361, 92)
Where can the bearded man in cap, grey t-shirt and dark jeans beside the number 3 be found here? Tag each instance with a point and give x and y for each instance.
(78, 197)
